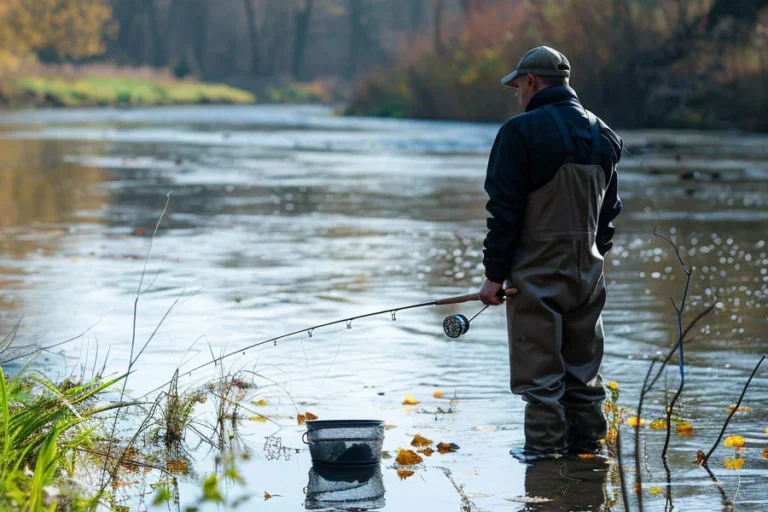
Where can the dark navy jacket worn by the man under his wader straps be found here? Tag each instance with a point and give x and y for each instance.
(526, 155)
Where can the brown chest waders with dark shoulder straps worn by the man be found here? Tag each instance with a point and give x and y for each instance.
(554, 323)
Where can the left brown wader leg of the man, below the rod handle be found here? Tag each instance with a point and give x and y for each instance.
(537, 371)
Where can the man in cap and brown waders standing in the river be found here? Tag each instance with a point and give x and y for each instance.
(553, 195)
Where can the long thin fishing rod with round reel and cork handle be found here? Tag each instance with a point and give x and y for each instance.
(453, 326)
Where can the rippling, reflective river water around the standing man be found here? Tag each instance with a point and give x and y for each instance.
(281, 218)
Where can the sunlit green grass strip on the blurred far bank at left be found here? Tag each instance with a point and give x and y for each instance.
(95, 91)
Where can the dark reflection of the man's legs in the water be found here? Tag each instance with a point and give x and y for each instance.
(566, 485)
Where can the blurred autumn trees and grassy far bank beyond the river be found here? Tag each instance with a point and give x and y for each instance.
(639, 63)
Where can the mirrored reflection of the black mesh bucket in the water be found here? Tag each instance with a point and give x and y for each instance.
(345, 488)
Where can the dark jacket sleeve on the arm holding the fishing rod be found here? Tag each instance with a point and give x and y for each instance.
(506, 183)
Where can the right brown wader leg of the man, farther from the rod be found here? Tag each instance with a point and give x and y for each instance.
(582, 400)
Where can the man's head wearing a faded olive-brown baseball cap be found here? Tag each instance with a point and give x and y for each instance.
(540, 68)
